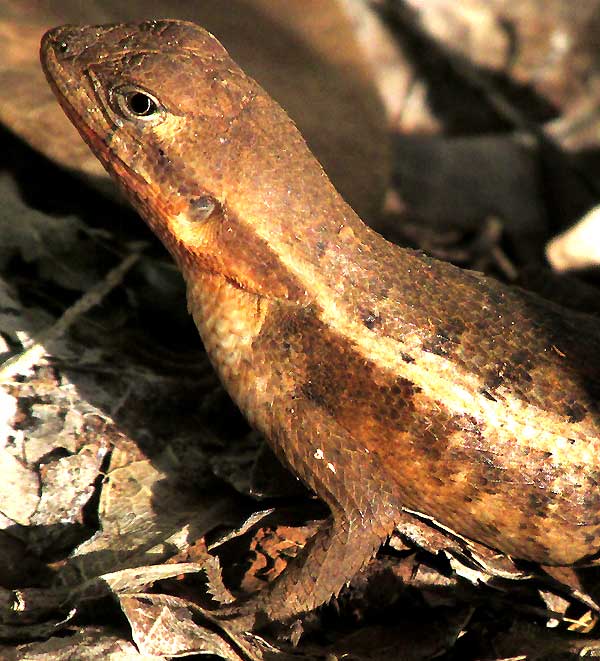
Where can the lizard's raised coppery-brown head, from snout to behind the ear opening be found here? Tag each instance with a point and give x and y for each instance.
(212, 163)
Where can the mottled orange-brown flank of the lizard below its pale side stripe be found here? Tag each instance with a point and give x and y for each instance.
(431, 456)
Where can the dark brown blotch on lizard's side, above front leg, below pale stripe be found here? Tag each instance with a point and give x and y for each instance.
(385, 411)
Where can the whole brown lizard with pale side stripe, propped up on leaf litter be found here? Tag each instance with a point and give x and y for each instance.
(383, 378)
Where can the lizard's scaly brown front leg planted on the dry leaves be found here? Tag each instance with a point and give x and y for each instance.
(363, 514)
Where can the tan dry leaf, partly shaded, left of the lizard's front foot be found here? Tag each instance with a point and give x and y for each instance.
(145, 516)
